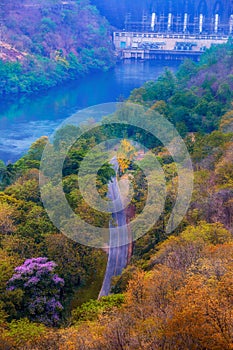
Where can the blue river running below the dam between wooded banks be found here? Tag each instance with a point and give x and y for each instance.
(25, 120)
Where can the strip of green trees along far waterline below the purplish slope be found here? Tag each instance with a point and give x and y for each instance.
(19, 81)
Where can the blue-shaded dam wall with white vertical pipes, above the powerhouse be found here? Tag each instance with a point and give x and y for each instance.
(176, 16)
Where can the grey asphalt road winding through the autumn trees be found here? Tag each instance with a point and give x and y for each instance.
(118, 237)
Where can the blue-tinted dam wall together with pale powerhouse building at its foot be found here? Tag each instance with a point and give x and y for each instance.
(167, 28)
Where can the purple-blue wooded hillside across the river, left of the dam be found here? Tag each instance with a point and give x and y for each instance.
(46, 42)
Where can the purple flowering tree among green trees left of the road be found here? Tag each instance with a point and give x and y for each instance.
(42, 290)
